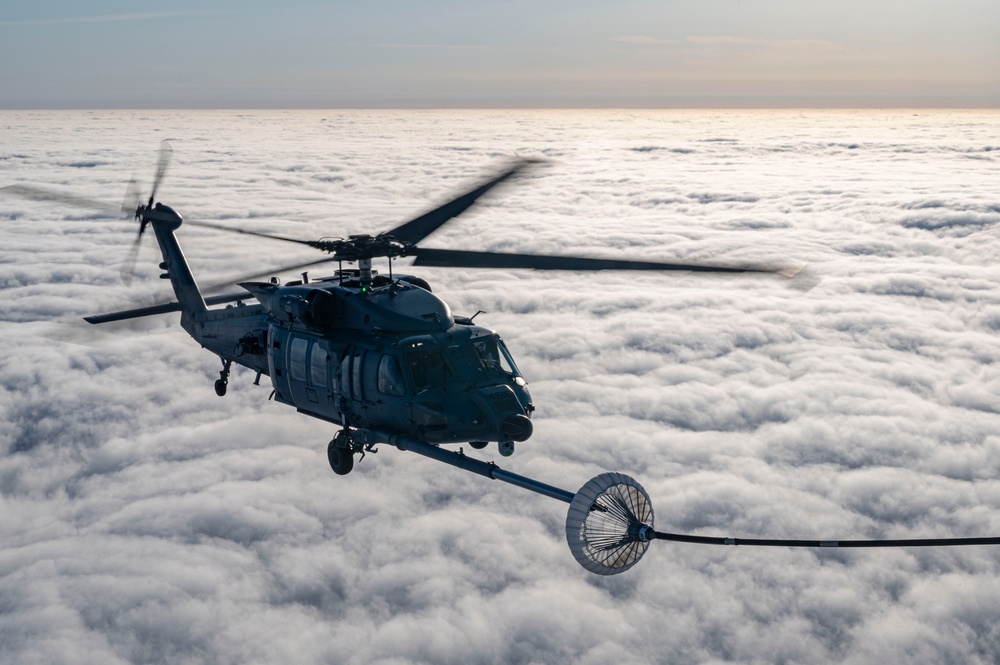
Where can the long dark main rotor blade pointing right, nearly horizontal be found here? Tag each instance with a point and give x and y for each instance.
(450, 258)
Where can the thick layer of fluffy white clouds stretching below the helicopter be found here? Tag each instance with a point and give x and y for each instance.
(145, 520)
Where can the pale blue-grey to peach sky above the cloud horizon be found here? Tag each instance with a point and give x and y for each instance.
(513, 54)
